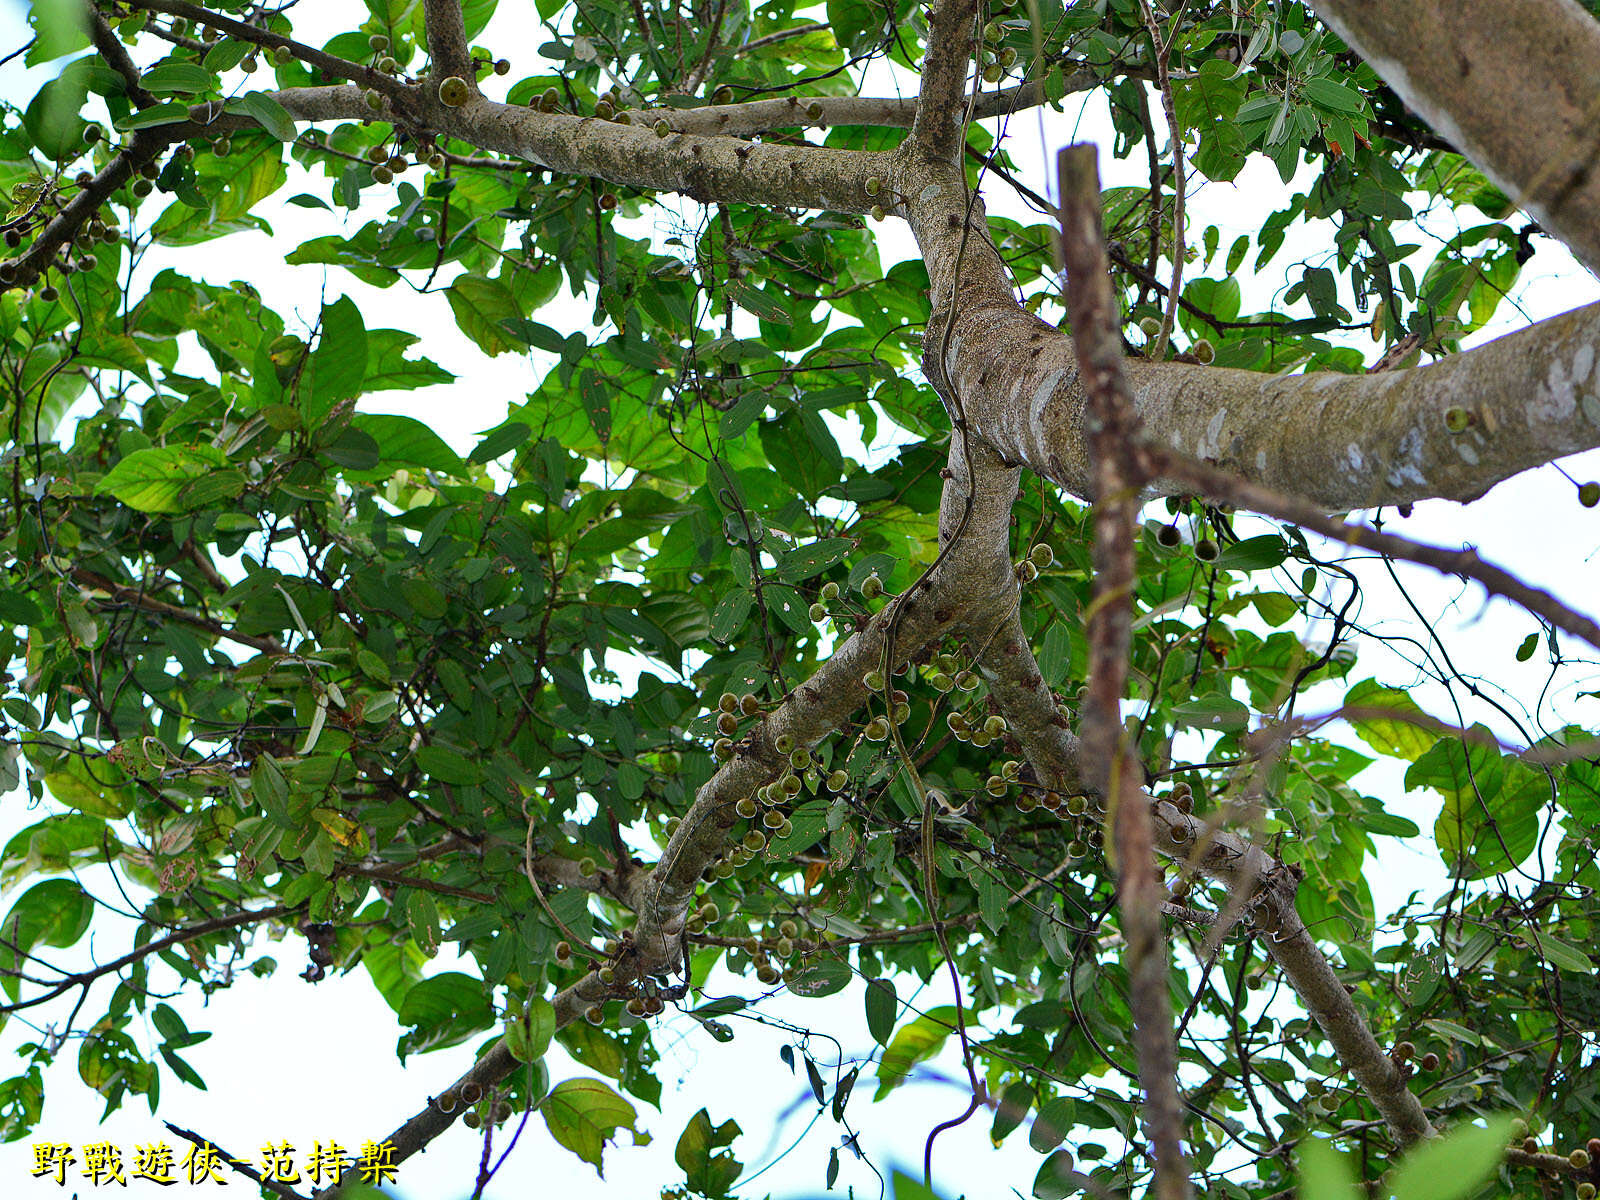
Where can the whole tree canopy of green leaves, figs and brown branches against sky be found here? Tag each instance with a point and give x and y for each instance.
(1058, 702)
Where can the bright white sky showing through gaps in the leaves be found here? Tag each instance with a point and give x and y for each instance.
(302, 1063)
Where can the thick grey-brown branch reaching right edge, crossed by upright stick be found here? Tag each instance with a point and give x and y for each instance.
(1342, 441)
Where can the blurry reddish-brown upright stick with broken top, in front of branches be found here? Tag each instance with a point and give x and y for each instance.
(1111, 769)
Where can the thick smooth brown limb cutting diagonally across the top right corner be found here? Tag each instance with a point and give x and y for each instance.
(1510, 82)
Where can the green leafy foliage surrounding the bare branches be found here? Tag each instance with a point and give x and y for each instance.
(273, 652)
